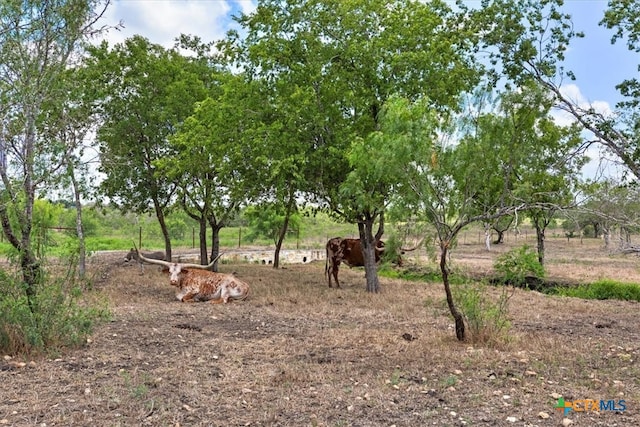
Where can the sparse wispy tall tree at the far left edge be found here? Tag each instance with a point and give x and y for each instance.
(38, 39)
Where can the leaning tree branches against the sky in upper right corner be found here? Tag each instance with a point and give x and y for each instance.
(531, 38)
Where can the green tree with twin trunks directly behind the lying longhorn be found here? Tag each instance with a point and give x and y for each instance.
(215, 165)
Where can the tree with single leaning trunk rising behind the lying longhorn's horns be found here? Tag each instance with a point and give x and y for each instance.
(143, 92)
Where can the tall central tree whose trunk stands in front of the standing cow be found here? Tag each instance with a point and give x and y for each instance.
(345, 59)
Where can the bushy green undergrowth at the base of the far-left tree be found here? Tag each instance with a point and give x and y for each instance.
(54, 319)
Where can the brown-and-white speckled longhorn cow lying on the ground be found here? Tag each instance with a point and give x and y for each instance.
(196, 283)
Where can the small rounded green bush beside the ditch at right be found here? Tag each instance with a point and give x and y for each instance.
(514, 266)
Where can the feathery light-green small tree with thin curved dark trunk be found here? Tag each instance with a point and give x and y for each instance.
(452, 185)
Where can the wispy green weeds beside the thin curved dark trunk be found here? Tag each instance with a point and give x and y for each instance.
(487, 320)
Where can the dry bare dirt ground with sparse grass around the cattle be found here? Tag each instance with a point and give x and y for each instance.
(299, 354)
